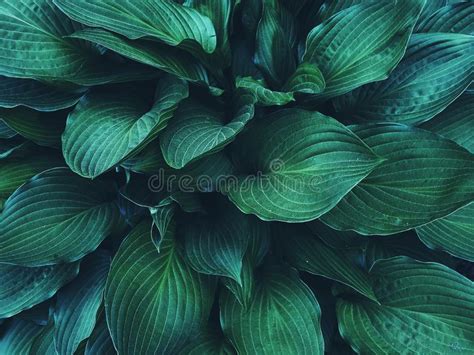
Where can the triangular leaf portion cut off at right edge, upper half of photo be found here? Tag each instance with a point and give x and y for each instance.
(456, 122)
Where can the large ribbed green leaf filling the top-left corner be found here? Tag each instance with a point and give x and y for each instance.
(36, 29)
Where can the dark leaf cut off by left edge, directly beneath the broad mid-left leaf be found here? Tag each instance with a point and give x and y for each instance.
(24, 287)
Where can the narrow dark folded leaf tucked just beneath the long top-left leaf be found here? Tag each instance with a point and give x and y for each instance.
(170, 60)
